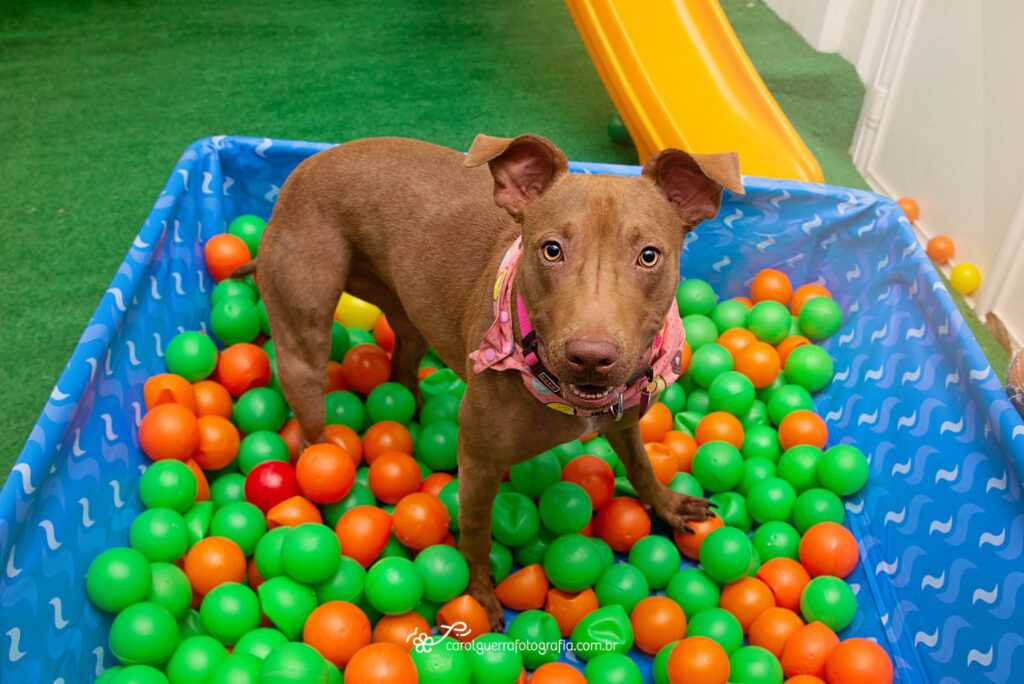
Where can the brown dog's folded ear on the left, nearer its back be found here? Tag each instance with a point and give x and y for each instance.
(523, 167)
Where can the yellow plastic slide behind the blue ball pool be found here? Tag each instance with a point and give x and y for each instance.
(679, 78)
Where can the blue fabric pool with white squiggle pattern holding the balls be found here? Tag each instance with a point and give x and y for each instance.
(941, 525)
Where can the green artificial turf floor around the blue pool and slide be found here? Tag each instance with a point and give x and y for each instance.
(101, 98)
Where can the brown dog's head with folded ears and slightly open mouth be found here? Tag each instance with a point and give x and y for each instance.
(601, 261)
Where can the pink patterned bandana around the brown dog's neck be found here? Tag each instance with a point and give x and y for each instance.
(499, 352)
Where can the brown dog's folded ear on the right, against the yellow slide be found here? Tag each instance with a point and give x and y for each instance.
(694, 183)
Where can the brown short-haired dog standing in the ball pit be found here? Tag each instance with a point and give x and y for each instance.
(421, 230)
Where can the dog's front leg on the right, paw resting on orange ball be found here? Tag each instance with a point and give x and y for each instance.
(675, 508)
